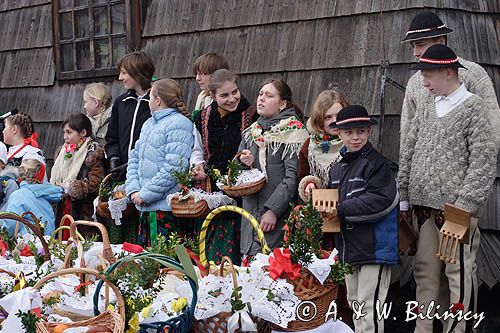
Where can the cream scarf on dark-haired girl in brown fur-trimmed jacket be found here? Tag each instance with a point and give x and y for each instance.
(66, 169)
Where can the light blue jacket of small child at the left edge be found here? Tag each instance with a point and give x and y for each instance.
(35, 198)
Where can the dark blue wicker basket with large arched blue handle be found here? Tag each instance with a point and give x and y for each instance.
(179, 324)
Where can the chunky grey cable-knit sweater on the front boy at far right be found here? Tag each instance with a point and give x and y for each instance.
(451, 159)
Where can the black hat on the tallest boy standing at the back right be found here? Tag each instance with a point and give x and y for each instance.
(426, 25)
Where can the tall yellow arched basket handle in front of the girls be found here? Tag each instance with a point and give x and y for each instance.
(242, 212)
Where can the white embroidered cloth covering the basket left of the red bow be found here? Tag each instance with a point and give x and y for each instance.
(273, 301)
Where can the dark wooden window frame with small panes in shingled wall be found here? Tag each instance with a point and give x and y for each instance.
(132, 35)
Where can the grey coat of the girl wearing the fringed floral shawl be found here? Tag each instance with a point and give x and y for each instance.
(279, 191)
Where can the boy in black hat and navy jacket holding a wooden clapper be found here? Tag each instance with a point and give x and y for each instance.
(368, 213)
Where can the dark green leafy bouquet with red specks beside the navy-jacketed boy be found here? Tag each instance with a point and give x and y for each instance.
(305, 233)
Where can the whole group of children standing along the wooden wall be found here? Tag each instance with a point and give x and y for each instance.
(448, 155)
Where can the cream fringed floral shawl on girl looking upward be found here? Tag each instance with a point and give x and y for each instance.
(288, 132)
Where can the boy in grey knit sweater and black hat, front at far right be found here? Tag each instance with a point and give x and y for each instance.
(450, 158)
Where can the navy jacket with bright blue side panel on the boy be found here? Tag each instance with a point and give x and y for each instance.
(368, 208)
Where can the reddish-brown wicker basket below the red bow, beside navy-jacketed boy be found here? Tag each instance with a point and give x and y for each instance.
(307, 288)
